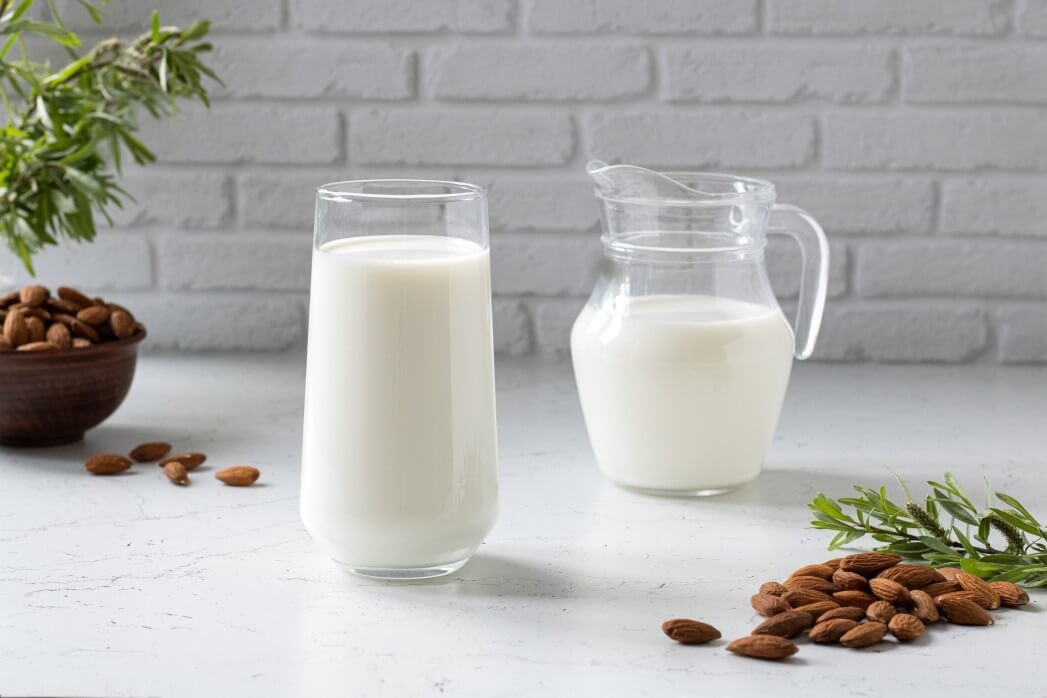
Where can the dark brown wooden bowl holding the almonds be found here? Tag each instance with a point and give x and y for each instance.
(53, 398)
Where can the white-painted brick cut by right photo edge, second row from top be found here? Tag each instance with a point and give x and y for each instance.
(976, 74)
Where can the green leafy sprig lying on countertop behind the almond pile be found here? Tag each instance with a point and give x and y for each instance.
(1000, 542)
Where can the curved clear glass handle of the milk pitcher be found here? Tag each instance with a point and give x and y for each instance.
(815, 276)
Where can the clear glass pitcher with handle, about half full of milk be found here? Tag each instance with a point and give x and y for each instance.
(682, 354)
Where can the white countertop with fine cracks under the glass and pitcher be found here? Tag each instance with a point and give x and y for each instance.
(130, 587)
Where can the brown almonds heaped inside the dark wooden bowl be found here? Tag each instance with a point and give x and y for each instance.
(35, 321)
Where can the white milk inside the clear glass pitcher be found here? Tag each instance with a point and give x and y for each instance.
(681, 393)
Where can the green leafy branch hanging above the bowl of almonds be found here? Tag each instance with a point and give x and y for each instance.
(61, 148)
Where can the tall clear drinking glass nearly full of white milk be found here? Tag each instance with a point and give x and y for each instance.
(399, 454)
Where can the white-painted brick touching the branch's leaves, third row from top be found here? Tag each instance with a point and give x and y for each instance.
(242, 133)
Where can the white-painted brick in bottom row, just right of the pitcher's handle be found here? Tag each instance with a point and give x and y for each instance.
(902, 333)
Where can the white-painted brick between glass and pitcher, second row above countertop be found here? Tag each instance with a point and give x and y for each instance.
(545, 265)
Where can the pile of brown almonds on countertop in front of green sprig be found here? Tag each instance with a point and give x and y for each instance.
(856, 602)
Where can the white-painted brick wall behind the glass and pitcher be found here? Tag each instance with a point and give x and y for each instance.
(915, 130)
